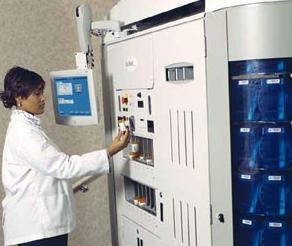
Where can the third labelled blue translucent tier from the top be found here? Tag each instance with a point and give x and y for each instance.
(263, 193)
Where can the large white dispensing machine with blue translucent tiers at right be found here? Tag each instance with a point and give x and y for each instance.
(205, 87)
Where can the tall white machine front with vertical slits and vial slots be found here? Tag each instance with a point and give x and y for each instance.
(169, 112)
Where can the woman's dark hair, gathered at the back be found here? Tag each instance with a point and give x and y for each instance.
(19, 82)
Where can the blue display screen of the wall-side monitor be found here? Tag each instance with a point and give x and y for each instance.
(72, 96)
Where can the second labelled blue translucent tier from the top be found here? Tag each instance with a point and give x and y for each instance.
(262, 146)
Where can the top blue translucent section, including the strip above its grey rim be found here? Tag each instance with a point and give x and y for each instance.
(261, 90)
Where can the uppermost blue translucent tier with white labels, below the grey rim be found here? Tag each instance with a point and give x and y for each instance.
(265, 99)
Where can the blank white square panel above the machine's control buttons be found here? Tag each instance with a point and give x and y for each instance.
(131, 63)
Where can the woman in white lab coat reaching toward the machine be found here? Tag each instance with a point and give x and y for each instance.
(38, 208)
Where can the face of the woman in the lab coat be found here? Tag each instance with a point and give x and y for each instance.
(34, 103)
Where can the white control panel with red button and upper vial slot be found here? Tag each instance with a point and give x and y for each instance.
(134, 110)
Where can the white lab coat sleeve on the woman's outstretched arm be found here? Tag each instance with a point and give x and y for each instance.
(41, 154)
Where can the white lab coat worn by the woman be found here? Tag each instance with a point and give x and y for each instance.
(36, 177)
